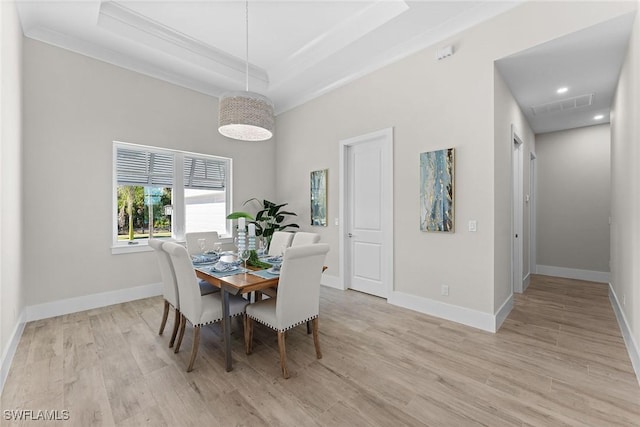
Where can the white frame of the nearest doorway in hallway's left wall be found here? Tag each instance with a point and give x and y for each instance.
(517, 211)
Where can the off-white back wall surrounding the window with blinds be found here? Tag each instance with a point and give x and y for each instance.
(75, 107)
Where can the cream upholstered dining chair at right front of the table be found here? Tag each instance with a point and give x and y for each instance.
(297, 301)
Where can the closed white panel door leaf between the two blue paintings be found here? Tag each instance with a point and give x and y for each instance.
(365, 221)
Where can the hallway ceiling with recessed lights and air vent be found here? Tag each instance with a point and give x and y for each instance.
(587, 63)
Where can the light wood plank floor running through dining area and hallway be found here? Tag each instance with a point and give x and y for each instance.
(559, 359)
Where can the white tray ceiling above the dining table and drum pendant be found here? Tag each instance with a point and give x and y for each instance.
(298, 49)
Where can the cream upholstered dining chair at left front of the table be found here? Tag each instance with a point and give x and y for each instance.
(199, 310)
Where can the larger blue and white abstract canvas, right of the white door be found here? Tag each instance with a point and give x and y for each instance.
(437, 190)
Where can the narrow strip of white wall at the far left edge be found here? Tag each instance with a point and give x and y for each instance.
(11, 289)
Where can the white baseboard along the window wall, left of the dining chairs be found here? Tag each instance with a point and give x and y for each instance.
(88, 302)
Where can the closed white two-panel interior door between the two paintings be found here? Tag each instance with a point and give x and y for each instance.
(367, 221)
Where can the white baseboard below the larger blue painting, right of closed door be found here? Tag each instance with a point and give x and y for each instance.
(466, 316)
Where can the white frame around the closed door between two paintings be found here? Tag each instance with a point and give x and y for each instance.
(386, 137)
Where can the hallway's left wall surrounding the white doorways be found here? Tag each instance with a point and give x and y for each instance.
(508, 115)
